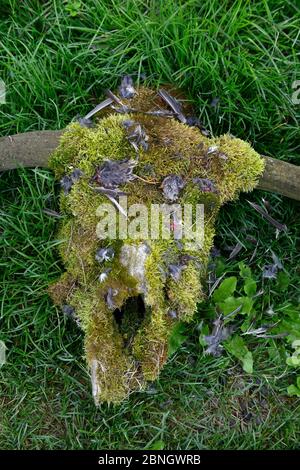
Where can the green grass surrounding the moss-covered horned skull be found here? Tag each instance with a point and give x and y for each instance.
(56, 66)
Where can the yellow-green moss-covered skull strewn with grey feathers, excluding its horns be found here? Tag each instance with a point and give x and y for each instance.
(129, 294)
